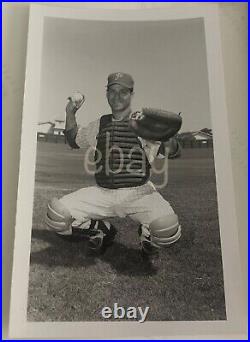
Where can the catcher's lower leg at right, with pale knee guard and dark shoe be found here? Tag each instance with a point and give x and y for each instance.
(162, 232)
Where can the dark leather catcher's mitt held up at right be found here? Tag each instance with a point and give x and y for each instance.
(155, 124)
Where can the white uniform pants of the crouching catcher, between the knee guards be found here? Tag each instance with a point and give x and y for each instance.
(143, 204)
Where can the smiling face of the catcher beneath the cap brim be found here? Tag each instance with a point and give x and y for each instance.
(119, 97)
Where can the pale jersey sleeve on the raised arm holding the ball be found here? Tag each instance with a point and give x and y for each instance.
(86, 136)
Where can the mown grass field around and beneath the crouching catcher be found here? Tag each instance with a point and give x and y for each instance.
(184, 283)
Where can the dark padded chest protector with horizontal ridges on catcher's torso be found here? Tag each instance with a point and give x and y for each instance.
(121, 162)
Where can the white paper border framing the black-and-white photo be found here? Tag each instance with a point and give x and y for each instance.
(235, 324)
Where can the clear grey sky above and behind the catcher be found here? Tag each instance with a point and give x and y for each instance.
(167, 60)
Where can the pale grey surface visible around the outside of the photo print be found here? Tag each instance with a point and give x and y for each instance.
(233, 19)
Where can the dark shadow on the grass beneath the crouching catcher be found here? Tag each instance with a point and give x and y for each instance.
(55, 251)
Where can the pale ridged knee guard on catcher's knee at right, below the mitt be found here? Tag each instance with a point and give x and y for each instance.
(165, 230)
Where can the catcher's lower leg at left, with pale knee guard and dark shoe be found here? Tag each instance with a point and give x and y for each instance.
(100, 234)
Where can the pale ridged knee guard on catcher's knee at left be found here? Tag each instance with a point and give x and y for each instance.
(58, 217)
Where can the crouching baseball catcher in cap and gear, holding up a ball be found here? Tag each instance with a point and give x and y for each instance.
(133, 140)
